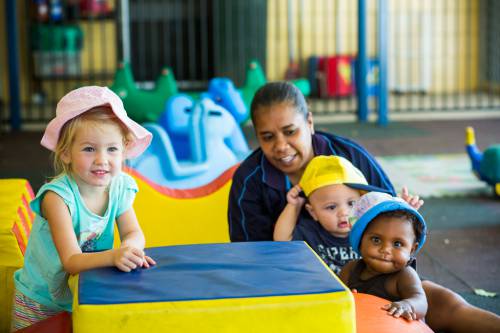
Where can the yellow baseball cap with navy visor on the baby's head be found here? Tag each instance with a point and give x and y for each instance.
(331, 170)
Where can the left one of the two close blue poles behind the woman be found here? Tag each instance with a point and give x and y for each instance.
(362, 62)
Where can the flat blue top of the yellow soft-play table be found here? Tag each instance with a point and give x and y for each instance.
(212, 271)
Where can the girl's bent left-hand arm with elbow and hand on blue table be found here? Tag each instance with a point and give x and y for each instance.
(73, 260)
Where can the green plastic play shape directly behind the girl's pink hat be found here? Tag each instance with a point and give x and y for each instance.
(143, 105)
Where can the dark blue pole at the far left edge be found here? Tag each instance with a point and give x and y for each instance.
(13, 52)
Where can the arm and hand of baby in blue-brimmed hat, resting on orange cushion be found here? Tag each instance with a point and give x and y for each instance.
(413, 304)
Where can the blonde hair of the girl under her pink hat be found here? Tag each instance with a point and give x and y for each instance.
(93, 118)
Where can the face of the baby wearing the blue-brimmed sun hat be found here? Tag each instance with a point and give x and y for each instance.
(387, 244)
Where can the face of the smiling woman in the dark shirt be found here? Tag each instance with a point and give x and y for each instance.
(285, 138)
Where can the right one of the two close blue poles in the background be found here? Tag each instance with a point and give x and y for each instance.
(383, 43)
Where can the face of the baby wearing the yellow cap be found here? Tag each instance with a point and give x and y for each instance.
(331, 206)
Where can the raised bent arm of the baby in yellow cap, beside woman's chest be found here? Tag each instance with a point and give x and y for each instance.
(283, 229)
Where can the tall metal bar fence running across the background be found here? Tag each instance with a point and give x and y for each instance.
(443, 55)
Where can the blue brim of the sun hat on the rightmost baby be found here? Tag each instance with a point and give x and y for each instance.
(360, 225)
